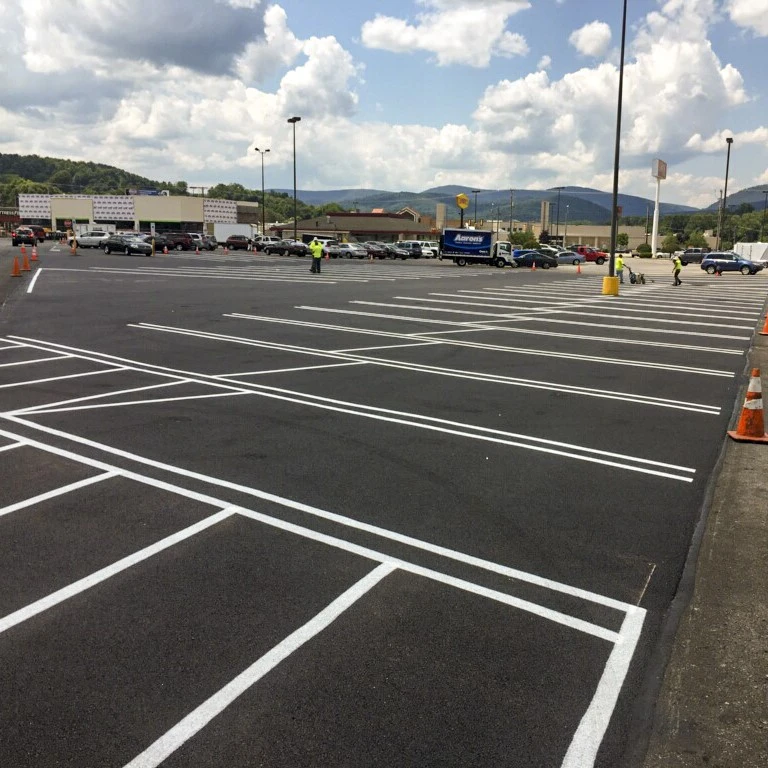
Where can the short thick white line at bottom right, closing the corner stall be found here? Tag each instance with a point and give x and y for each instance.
(589, 735)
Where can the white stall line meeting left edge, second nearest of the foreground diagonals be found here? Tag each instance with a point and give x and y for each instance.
(33, 609)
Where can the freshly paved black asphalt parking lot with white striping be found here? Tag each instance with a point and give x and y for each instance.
(399, 513)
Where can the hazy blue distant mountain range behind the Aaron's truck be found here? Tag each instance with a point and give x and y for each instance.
(578, 204)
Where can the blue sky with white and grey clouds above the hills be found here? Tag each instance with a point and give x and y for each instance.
(487, 93)
